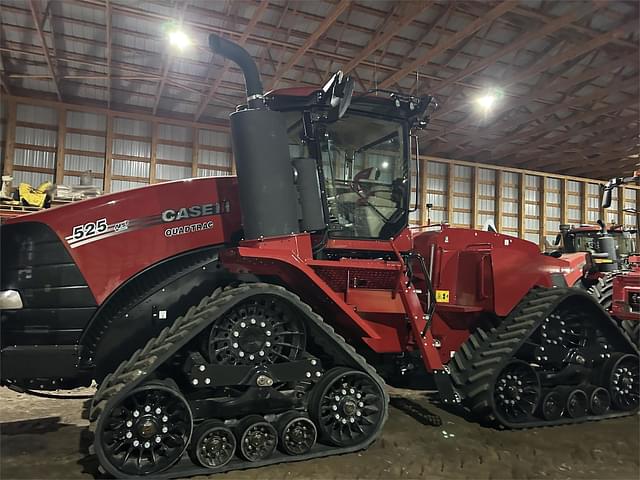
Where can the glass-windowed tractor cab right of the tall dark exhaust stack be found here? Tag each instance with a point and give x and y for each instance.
(362, 149)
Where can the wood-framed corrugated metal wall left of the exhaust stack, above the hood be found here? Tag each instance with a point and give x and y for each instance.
(134, 151)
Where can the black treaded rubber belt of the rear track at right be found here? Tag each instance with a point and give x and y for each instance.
(484, 355)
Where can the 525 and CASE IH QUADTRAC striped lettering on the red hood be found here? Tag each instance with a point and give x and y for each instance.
(99, 229)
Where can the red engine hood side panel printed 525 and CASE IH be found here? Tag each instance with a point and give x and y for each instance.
(113, 237)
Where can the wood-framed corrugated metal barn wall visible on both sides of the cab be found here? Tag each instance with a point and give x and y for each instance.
(58, 142)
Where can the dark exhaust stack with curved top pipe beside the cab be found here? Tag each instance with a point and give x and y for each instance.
(268, 196)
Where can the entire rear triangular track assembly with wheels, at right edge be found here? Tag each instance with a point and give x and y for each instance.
(558, 358)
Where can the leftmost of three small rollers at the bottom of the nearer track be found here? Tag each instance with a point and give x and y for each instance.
(213, 444)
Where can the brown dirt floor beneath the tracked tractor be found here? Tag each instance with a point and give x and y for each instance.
(43, 438)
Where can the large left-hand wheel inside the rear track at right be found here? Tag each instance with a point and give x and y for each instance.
(516, 392)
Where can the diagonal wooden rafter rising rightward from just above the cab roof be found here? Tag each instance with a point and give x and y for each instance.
(448, 43)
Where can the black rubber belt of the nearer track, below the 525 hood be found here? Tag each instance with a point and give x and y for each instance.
(170, 340)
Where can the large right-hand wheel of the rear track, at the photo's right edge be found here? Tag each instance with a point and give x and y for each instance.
(621, 378)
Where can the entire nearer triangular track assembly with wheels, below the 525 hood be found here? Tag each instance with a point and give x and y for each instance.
(249, 377)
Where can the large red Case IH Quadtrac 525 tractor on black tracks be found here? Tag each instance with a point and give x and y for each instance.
(240, 319)
